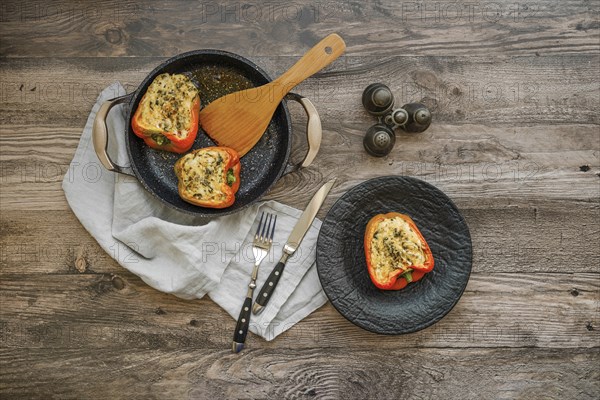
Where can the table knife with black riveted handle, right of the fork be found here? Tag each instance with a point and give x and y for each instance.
(292, 244)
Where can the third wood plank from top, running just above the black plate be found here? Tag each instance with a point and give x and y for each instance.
(518, 169)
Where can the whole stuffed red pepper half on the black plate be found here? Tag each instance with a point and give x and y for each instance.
(401, 273)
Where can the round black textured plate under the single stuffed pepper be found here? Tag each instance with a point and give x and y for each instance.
(341, 260)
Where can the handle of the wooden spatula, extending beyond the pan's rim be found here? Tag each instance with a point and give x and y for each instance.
(317, 58)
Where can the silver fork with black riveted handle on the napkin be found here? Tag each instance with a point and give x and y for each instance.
(263, 239)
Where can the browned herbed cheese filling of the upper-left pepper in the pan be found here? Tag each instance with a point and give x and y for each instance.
(167, 104)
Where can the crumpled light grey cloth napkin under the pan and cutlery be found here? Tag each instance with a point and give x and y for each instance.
(184, 255)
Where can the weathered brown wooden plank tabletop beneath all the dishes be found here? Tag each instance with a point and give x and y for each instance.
(514, 90)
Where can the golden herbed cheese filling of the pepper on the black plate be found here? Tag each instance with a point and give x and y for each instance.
(395, 246)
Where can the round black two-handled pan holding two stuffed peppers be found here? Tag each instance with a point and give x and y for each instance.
(215, 73)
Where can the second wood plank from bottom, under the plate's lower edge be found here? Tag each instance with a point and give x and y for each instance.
(118, 311)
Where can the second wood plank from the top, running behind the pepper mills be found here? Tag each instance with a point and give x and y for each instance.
(483, 91)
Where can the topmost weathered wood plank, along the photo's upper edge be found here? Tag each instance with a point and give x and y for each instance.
(132, 28)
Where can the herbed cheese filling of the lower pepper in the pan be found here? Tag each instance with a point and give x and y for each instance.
(203, 175)
